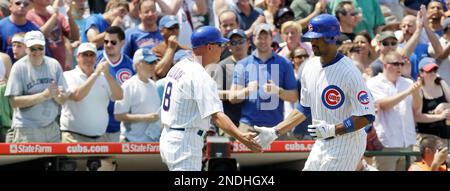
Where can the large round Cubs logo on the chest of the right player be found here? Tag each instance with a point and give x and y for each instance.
(333, 97)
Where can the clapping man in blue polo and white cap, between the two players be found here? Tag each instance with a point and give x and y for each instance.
(262, 81)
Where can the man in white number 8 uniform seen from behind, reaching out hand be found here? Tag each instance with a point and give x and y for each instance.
(190, 102)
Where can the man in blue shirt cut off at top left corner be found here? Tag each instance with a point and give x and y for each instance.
(15, 23)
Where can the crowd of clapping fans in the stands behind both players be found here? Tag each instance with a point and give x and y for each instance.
(93, 71)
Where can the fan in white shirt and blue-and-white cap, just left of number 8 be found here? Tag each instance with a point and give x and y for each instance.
(138, 111)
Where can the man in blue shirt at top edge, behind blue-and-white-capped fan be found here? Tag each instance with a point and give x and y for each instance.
(146, 34)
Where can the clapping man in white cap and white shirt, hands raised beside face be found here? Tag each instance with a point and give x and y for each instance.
(84, 117)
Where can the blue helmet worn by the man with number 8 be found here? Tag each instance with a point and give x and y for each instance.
(205, 35)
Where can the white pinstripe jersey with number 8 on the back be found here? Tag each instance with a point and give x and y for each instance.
(190, 96)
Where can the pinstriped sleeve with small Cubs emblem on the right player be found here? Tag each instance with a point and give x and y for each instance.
(359, 96)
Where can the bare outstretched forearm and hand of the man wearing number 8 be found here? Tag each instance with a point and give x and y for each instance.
(225, 123)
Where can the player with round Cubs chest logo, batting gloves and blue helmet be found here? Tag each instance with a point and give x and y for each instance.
(334, 93)
